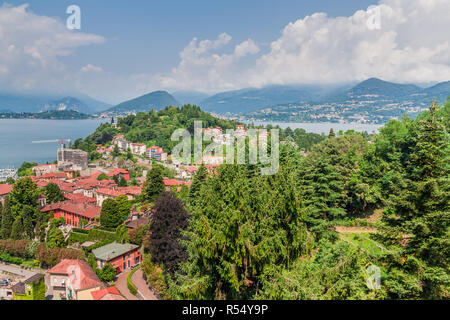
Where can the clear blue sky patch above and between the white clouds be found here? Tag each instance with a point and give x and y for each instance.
(149, 35)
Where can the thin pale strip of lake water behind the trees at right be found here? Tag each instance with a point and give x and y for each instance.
(325, 127)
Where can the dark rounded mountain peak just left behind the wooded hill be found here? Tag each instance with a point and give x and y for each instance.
(156, 100)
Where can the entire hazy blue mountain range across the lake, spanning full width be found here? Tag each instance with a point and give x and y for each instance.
(371, 95)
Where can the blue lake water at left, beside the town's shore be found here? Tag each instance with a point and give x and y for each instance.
(16, 137)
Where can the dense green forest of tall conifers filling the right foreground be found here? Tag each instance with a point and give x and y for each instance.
(277, 237)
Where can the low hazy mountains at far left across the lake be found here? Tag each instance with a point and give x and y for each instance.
(34, 103)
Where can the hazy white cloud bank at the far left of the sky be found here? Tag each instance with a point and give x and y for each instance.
(30, 48)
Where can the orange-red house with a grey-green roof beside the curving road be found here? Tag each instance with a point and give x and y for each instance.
(121, 256)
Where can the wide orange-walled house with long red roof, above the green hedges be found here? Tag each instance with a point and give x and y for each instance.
(73, 212)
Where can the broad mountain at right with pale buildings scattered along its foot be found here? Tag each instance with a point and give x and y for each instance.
(371, 101)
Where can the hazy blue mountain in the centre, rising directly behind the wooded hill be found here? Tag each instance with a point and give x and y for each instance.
(247, 100)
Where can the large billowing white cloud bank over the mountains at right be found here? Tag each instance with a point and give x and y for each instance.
(412, 45)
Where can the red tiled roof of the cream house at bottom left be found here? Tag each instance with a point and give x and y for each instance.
(80, 273)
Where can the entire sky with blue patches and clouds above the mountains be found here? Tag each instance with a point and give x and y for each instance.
(128, 48)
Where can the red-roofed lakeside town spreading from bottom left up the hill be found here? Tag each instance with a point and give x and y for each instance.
(85, 187)
